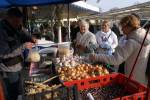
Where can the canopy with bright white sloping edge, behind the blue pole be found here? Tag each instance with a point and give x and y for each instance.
(76, 9)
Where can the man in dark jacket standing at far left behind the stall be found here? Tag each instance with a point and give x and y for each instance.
(12, 42)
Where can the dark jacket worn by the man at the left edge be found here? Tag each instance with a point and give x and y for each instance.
(11, 40)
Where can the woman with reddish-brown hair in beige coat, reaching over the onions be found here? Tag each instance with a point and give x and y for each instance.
(129, 51)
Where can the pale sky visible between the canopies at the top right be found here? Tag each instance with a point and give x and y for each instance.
(109, 4)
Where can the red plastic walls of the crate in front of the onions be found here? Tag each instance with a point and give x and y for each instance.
(137, 90)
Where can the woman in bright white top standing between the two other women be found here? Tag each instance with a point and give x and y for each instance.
(106, 38)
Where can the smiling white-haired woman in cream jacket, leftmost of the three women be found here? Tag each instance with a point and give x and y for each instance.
(85, 39)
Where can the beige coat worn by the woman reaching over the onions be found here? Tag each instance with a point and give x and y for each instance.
(128, 53)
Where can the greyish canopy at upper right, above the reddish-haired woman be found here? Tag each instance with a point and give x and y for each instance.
(142, 9)
